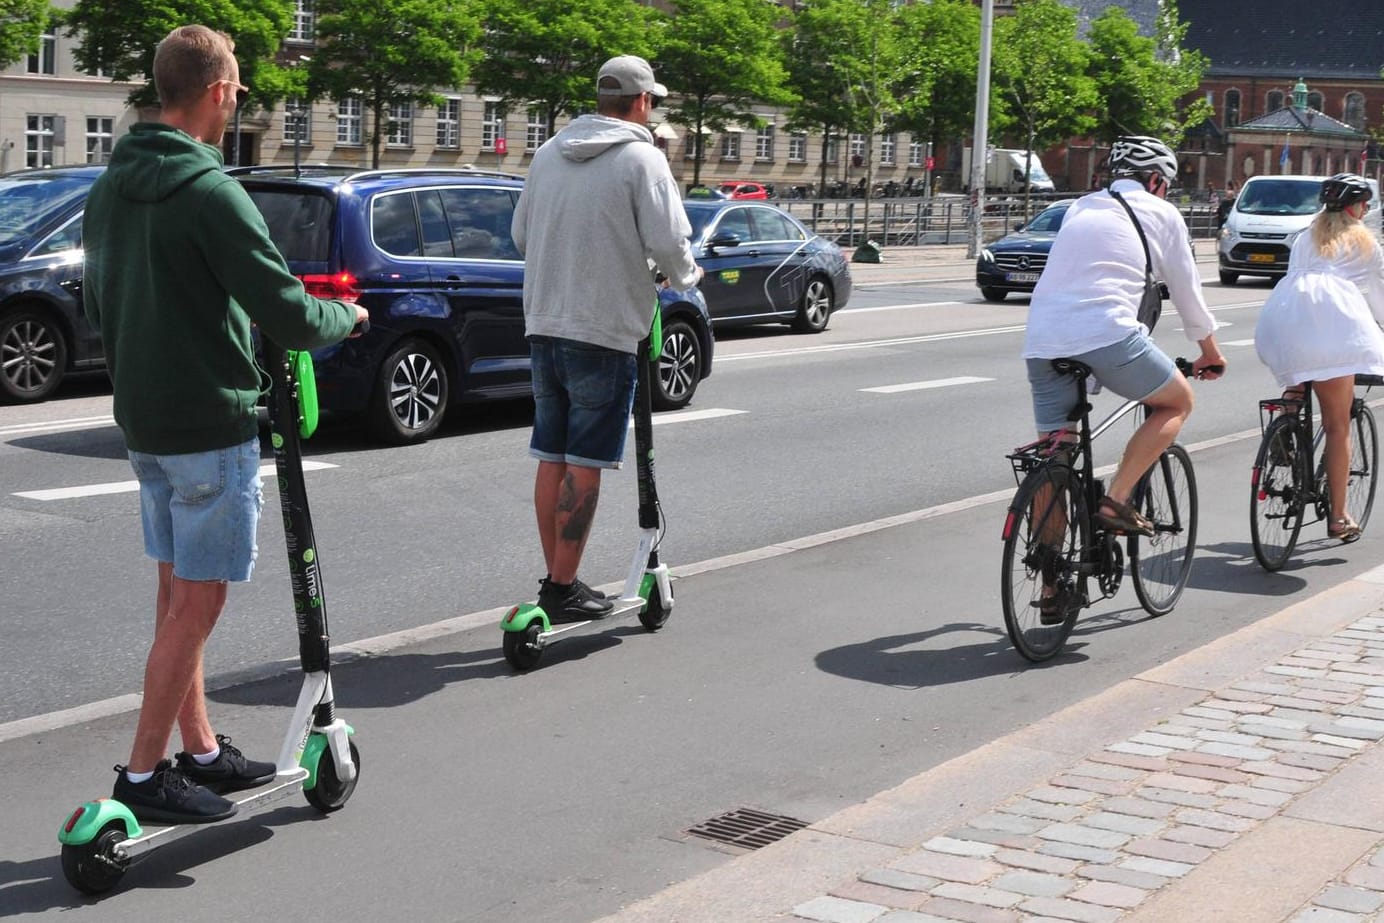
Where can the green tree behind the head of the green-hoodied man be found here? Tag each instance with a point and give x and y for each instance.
(120, 39)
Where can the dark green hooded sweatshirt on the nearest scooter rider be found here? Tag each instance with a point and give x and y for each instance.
(179, 264)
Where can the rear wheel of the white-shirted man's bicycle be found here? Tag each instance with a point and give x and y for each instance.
(1046, 533)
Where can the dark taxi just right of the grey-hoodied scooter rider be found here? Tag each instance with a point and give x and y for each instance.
(763, 266)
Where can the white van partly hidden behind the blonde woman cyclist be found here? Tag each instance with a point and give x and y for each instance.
(1268, 215)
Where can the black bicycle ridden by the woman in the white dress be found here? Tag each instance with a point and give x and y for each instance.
(1286, 484)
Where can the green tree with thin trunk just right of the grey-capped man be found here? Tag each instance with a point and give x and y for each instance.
(719, 57)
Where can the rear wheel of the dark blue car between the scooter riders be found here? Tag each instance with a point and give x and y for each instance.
(410, 395)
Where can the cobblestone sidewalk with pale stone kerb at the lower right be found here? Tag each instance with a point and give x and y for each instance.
(1235, 784)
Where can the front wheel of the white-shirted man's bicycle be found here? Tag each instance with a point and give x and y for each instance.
(1160, 565)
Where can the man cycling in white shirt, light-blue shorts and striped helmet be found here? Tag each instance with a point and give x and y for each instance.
(1087, 308)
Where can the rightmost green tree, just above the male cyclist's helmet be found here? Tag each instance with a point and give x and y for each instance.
(1142, 80)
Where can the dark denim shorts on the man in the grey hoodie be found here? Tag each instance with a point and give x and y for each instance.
(582, 396)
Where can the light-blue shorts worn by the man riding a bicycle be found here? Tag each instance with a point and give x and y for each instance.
(1136, 369)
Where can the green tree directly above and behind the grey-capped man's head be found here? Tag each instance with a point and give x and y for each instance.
(546, 53)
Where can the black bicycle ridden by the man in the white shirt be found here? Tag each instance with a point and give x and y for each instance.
(1054, 549)
